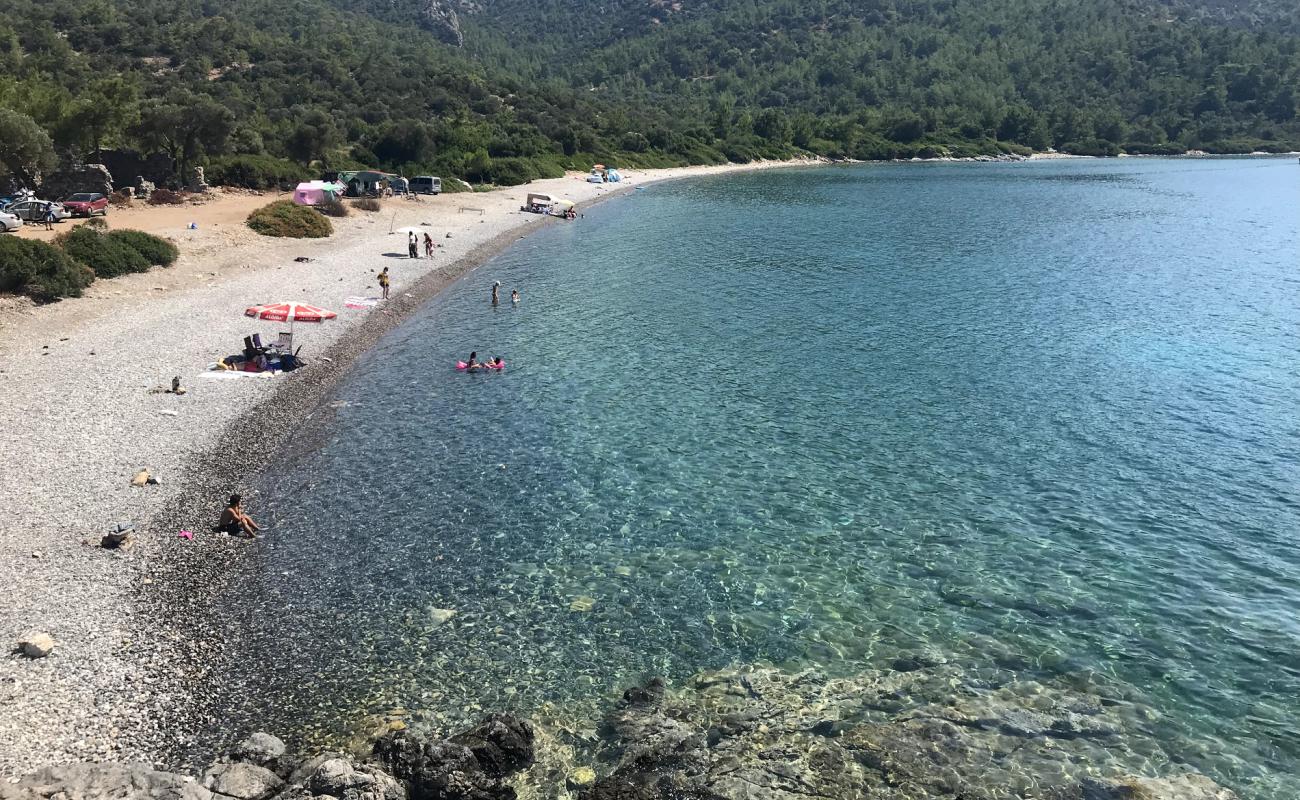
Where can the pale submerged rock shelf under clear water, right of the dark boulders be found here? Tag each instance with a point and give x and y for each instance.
(913, 734)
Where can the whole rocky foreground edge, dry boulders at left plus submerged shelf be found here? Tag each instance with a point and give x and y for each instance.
(912, 733)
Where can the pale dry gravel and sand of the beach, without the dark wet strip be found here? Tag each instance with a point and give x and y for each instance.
(83, 416)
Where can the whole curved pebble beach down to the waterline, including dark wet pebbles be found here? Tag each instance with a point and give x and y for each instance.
(83, 416)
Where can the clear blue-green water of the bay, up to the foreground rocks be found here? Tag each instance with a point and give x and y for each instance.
(1035, 417)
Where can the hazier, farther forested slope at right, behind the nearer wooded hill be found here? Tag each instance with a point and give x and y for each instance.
(852, 77)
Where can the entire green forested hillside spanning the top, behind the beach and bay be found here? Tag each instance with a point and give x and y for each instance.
(263, 92)
